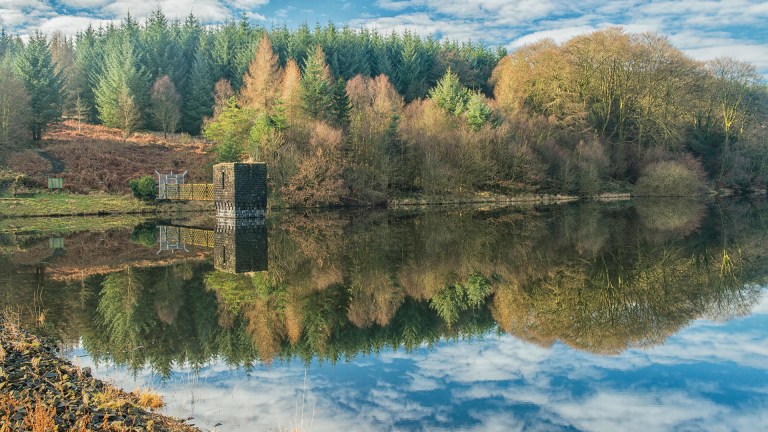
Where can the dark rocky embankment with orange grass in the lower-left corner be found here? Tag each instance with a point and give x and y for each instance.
(41, 392)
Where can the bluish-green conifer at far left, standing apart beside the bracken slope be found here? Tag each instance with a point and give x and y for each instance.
(44, 86)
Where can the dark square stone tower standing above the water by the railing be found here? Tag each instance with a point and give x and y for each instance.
(240, 190)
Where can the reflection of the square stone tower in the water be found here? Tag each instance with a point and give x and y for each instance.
(240, 245)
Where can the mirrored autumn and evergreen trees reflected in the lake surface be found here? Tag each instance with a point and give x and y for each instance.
(600, 279)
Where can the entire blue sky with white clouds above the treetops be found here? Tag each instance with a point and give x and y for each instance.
(703, 29)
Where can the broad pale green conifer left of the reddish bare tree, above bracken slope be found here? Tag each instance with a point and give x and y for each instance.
(122, 77)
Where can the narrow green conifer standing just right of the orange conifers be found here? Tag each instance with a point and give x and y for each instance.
(316, 86)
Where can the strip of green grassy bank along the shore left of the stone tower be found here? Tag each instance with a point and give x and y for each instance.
(62, 204)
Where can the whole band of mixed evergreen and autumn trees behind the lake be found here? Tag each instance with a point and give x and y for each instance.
(343, 115)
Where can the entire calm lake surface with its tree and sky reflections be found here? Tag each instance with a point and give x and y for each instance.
(632, 316)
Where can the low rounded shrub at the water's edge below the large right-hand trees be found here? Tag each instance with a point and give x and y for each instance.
(671, 178)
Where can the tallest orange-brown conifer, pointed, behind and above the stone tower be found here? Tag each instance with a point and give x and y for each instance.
(261, 83)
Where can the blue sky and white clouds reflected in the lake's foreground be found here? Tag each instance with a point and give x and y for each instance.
(709, 376)
